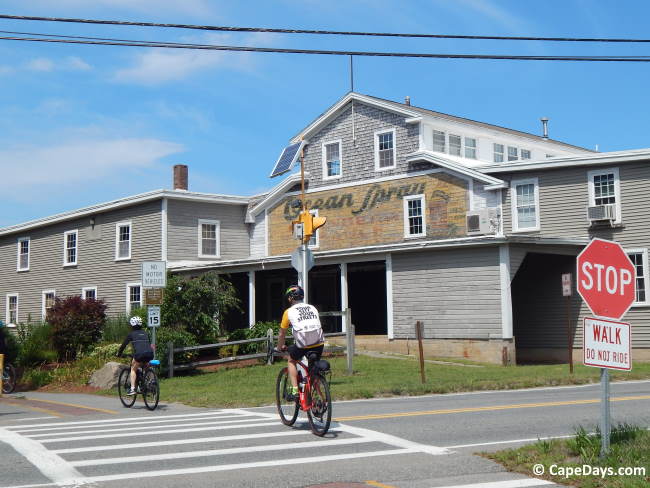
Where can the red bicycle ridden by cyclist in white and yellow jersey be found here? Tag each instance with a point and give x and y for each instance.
(314, 397)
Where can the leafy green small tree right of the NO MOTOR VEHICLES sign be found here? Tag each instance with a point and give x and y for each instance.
(197, 304)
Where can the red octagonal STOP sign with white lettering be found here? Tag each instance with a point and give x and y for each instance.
(606, 279)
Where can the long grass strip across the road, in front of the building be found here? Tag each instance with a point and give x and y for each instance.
(255, 385)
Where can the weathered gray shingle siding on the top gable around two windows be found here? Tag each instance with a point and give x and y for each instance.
(357, 158)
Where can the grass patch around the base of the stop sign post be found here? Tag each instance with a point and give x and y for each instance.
(630, 448)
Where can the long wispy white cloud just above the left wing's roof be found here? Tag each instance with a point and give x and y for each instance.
(33, 173)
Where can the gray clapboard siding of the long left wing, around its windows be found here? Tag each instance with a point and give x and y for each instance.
(96, 259)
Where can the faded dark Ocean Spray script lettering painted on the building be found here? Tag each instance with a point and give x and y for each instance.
(374, 196)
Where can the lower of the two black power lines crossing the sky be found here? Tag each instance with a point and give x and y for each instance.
(211, 47)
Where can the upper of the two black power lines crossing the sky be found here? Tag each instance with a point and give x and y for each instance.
(321, 32)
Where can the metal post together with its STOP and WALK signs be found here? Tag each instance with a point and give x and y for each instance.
(606, 281)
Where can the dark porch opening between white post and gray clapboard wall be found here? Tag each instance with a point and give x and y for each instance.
(367, 297)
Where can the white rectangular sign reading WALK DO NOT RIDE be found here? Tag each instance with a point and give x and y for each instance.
(607, 344)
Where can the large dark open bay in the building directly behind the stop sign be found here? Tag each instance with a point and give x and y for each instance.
(539, 310)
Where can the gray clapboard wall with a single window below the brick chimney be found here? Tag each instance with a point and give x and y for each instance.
(183, 234)
